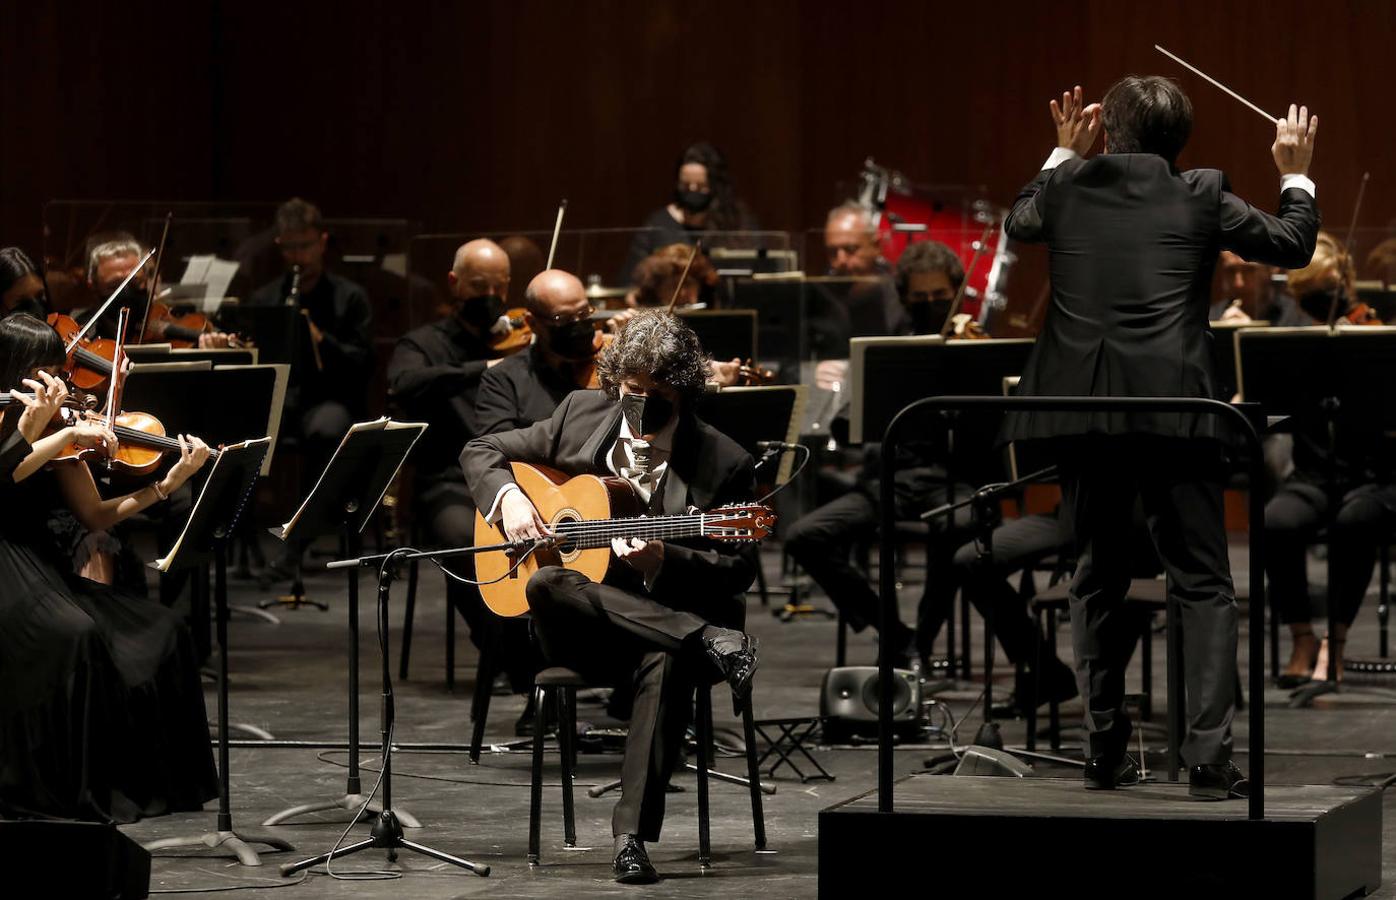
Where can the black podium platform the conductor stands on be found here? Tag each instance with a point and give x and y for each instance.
(1000, 835)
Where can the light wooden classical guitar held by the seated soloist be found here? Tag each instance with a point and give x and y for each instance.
(584, 514)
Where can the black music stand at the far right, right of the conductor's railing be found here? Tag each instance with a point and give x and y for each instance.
(1339, 384)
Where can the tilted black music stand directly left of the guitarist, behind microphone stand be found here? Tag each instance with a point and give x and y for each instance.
(344, 500)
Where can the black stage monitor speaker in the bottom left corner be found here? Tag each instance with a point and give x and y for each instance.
(51, 859)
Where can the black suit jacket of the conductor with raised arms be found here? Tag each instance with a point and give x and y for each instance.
(1133, 246)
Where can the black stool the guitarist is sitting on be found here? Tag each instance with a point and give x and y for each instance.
(560, 686)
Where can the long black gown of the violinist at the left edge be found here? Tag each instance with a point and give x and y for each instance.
(101, 704)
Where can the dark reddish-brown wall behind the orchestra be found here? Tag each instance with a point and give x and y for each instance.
(482, 115)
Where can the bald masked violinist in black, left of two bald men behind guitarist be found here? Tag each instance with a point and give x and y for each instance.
(433, 377)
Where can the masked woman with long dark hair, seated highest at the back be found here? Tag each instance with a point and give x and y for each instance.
(703, 202)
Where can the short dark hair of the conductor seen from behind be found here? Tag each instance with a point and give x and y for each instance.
(1147, 115)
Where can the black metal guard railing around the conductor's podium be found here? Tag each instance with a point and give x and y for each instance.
(1097, 405)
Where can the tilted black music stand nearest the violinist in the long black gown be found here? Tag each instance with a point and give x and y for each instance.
(206, 538)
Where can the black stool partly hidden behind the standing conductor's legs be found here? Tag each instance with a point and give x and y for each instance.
(1150, 597)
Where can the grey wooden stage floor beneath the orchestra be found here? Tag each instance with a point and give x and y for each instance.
(290, 680)
